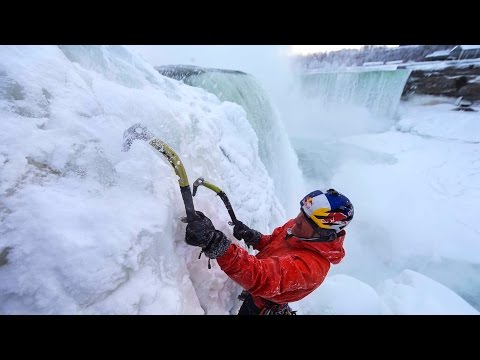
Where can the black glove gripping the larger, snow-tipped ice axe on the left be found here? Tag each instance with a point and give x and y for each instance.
(201, 232)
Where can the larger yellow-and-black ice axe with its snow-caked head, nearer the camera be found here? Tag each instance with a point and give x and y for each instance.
(140, 132)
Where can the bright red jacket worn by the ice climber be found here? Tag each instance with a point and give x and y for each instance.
(285, 269)
